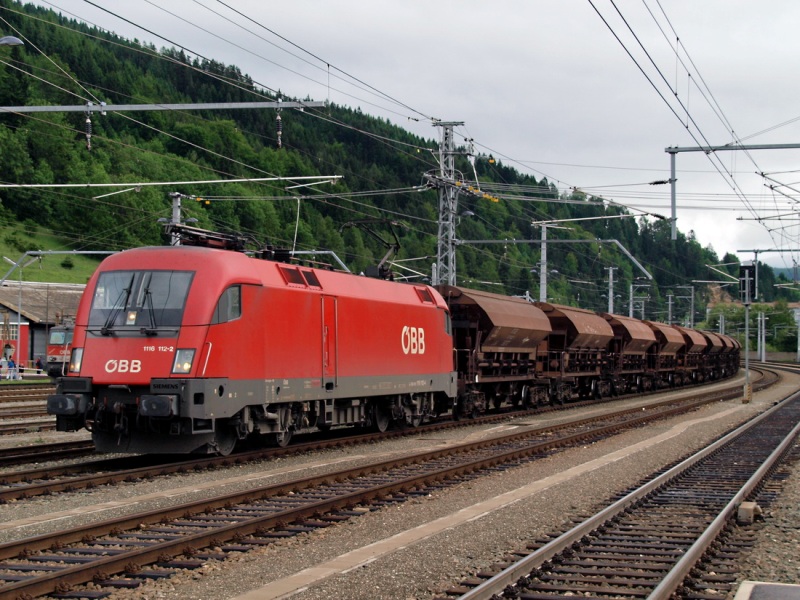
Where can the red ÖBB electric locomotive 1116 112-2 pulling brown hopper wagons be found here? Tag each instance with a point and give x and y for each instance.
(189, 349)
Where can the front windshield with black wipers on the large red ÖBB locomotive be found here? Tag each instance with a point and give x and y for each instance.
(141, 301)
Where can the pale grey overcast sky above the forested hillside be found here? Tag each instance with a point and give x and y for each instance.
(544, 85)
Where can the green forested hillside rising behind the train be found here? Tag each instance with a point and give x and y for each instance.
(382, 168)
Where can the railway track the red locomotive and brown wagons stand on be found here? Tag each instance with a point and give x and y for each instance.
(28, 483)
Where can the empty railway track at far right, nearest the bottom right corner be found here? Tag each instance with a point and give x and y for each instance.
(649, 542)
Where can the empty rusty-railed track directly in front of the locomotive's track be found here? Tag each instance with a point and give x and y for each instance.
(148, 544)
